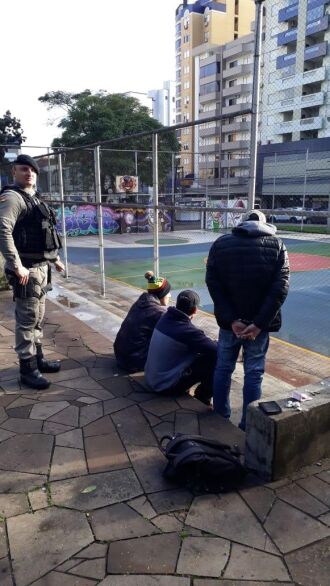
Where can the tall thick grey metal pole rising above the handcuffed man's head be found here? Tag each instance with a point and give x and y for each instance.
(255, 103)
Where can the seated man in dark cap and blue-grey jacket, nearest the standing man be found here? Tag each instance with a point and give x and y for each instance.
(180, 355)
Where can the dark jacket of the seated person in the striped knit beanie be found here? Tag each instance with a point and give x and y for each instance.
(132, 341)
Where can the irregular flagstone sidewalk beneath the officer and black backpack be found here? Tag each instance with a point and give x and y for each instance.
(83, 500)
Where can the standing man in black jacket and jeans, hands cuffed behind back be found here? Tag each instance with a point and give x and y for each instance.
(247, 276)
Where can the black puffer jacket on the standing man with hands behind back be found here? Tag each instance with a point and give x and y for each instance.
(248, 276)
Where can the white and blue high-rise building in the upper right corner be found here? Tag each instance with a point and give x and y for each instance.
(296, 96)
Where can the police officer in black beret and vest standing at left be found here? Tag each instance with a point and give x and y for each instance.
(29, 243)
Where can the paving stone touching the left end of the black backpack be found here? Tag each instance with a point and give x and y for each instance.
(149, 463)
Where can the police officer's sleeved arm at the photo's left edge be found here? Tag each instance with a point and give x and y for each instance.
(12, 207)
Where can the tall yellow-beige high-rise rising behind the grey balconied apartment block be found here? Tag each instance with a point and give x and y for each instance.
(203, 24)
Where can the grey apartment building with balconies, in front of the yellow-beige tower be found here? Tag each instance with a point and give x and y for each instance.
(225, 78)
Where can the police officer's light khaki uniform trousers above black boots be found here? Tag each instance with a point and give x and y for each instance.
(29, 314)
